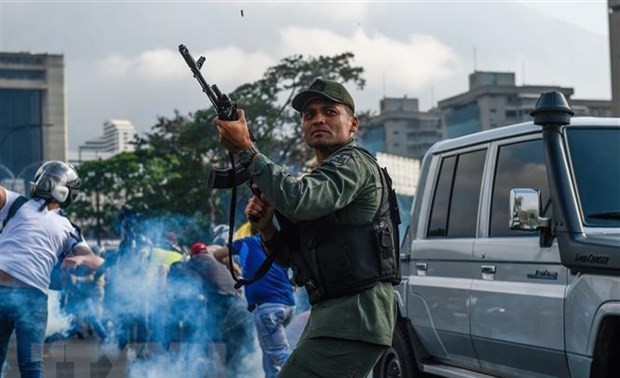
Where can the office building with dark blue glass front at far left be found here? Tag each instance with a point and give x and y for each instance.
(33, 126)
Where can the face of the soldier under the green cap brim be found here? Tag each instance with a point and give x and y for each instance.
(327, 124)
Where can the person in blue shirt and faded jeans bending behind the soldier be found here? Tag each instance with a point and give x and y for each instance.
(270, 299)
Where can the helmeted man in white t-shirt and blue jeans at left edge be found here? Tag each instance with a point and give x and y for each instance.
(35, 237)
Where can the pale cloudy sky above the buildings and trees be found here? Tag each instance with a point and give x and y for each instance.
(122, 62)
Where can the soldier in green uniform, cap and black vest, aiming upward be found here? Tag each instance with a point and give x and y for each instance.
(330, 216)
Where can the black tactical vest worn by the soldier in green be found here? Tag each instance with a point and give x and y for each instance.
(334, 260)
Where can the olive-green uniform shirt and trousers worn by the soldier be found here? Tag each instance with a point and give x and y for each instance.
(344, 336)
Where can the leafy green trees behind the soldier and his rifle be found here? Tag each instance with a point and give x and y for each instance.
(166, 177)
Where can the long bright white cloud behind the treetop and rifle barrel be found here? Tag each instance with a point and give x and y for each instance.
(406, 67)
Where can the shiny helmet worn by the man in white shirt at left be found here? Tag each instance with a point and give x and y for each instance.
(58, 181)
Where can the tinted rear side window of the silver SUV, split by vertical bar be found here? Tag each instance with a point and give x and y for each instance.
(455, 202)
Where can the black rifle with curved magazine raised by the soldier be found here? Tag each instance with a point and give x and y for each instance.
(227, 110)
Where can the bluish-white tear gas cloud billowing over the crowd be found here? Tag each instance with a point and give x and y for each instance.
(162, 319)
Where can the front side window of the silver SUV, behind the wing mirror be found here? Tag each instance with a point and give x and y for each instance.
(519, 165)
